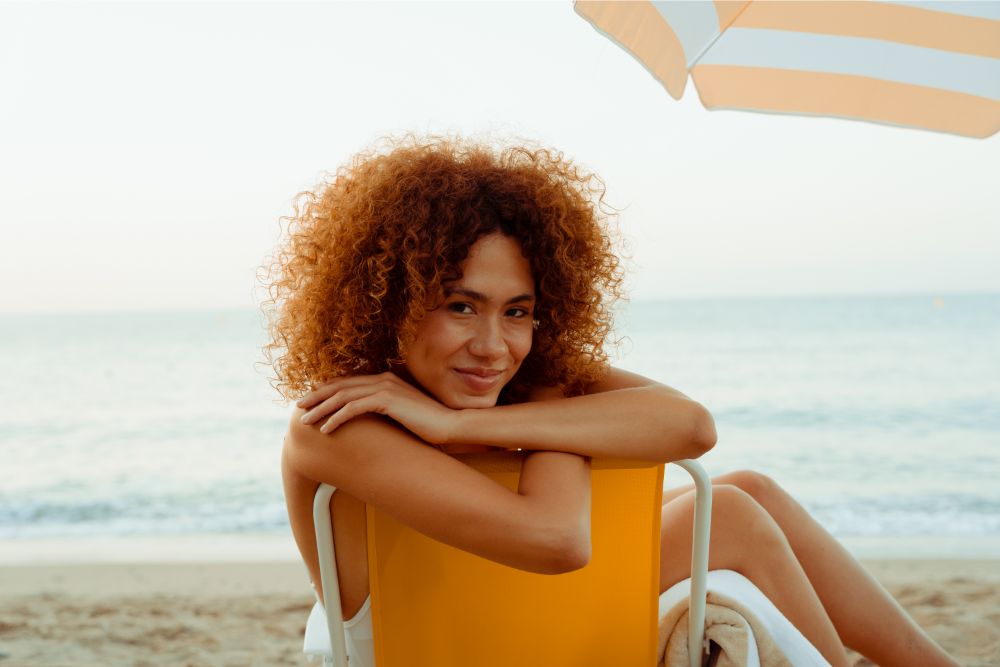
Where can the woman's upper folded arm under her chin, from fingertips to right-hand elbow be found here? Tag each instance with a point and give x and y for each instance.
(624, 415)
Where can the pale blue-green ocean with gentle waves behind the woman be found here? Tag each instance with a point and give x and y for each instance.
(880, 414)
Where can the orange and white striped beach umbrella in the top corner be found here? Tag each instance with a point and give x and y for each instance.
(932, 65)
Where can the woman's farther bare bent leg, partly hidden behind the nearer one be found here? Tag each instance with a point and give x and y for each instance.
(867, 618)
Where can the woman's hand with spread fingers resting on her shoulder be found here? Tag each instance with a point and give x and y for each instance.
(384, 394)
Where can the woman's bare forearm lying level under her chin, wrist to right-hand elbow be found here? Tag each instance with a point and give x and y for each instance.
(650, 423)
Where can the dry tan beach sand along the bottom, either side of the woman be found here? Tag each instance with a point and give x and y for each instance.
(231, 614)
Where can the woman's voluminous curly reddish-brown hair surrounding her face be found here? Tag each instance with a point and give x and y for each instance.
(368, 250)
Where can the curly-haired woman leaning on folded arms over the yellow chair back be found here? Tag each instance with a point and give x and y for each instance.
(439, 297)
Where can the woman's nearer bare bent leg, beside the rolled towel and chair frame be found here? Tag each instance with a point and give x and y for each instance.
(746, 539)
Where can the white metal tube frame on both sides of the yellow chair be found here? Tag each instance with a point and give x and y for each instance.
(699, 566)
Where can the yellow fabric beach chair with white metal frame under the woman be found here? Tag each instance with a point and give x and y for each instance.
(435, 605)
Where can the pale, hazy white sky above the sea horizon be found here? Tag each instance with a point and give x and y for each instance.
(149, 150)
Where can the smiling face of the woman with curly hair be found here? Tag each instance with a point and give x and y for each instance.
(467, 349)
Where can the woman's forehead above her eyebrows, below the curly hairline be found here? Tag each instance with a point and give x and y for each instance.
(496, 267)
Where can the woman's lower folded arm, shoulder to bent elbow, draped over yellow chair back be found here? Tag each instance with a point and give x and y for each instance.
(544, 527)
